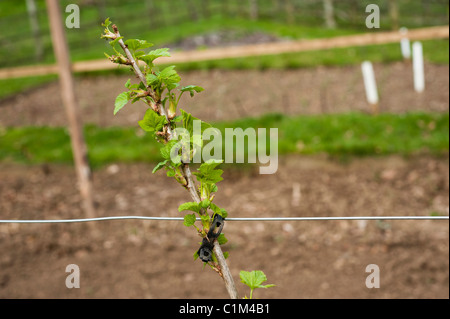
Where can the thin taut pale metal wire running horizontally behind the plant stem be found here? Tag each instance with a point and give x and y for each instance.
(256, 219)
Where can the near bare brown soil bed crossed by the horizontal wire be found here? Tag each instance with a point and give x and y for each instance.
(153, 259)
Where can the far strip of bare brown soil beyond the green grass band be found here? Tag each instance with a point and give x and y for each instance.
(234, 94)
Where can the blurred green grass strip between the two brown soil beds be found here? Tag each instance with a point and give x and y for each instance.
(342, 135)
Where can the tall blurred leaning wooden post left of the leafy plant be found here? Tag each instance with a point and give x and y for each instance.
(79, 148)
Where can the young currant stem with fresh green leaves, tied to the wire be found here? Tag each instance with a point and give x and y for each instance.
(160, 90)
